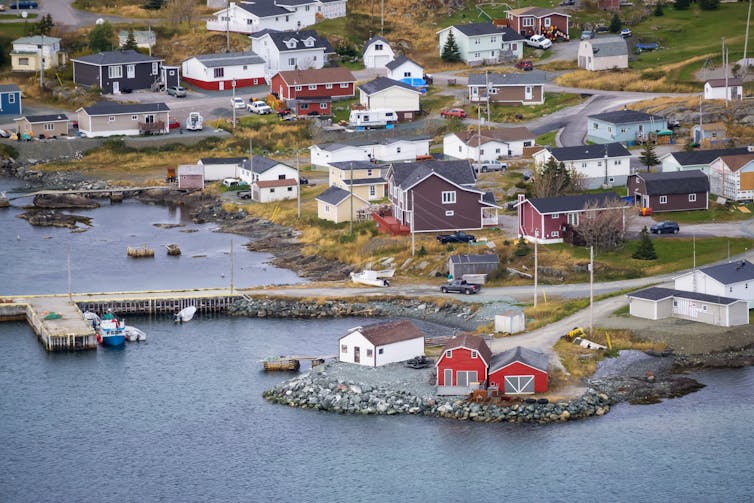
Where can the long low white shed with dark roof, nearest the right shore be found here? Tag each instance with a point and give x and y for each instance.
(656, 303)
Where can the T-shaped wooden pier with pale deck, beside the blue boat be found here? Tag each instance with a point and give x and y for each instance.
(58, 320)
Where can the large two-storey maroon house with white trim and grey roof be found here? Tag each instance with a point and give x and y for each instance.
(434, 196)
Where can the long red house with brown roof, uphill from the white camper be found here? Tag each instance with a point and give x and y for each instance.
(336, 82)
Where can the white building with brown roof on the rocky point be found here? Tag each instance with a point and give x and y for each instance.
(380, 344)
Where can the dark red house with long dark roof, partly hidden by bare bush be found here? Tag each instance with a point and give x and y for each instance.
(547, 220)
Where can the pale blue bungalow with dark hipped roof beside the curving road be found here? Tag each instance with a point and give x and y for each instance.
(625, 126)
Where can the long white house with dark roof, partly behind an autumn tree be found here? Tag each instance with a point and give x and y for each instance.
(608, 164)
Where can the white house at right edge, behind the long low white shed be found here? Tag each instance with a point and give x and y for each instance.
(732, 279)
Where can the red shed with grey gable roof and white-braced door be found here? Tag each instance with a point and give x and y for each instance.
(519, 371)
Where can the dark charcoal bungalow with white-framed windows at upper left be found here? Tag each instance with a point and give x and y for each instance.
(117, 71)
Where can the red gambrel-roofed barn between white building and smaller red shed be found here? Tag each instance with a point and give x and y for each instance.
(465, 359)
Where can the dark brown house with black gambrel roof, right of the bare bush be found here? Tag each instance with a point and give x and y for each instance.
(670, 191)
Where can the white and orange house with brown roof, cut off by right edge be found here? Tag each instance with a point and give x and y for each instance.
(732, 177)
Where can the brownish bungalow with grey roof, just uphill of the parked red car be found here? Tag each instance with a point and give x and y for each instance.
(507, 89)
